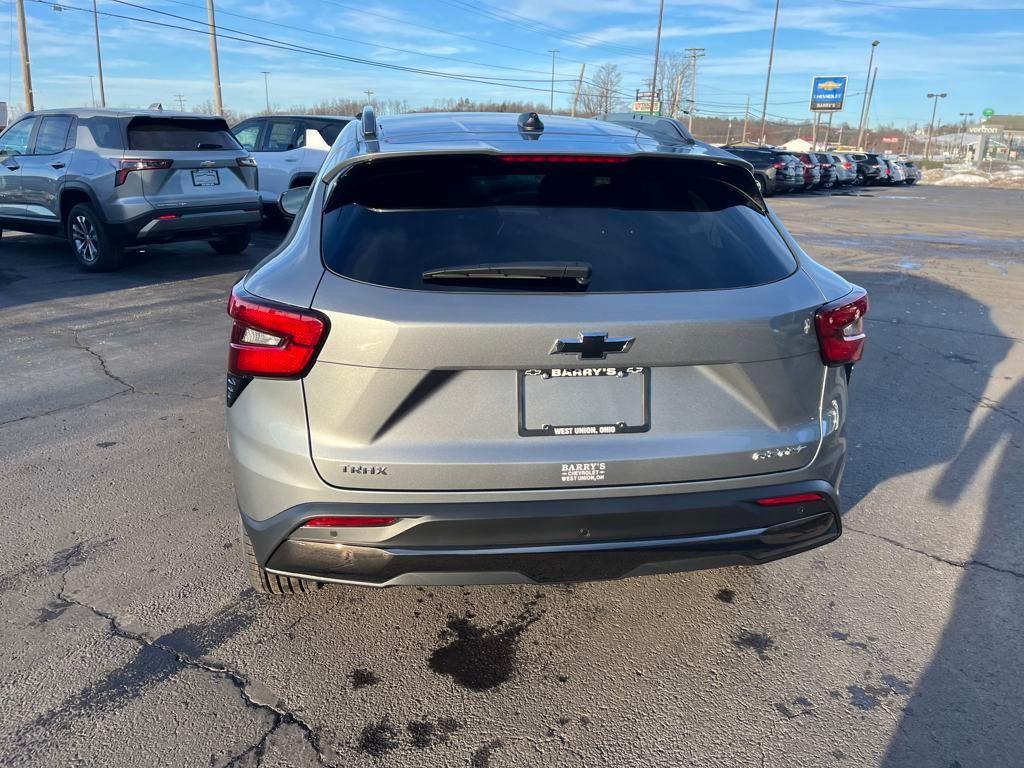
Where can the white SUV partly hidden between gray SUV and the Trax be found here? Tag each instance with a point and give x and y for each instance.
(288, 149)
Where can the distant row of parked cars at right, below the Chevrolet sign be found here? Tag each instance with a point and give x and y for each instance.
(777, 170)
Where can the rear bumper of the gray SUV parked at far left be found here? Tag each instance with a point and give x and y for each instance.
(198, 224)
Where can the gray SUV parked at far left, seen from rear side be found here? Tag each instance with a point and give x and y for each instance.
(108, 179)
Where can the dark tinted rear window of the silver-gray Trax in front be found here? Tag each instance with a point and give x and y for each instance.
(645, 225)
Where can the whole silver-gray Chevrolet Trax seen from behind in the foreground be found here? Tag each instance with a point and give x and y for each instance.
(483, 359)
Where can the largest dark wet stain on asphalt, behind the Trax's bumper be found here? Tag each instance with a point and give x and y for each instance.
(482, 658)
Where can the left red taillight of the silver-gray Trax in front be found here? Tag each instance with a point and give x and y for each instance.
(271, 339)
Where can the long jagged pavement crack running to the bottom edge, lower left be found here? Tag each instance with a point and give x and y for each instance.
(282, 716)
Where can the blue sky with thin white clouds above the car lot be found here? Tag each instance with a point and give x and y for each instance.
(971, 50)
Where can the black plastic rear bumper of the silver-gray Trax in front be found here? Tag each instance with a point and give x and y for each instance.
(548, 541)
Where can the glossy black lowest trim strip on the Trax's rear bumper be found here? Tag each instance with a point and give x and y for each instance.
(382, 567)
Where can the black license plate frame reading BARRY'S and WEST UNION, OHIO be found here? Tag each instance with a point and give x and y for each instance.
(604, 428)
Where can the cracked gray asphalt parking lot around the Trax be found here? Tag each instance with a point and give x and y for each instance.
(131, 637)
